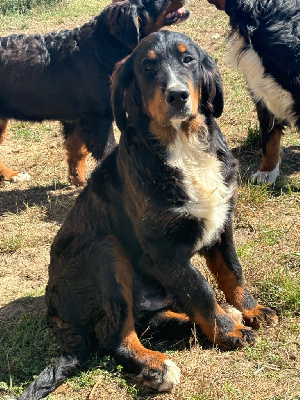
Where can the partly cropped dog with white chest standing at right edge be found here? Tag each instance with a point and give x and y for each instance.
(264, 44)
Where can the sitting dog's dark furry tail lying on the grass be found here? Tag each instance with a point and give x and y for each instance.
(50, 378)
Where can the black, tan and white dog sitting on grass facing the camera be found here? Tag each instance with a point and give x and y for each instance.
(121, 260)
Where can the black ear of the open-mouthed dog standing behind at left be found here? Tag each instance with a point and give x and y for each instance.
(122, 21)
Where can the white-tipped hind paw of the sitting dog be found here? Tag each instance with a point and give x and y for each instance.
(163, 379)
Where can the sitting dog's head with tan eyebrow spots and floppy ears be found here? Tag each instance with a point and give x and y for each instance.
(170, 79)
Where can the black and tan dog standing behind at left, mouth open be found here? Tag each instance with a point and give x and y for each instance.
(65, 76)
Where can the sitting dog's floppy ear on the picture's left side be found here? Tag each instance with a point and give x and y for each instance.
(125, 96)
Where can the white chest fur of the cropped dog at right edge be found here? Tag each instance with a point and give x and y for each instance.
(264, 87)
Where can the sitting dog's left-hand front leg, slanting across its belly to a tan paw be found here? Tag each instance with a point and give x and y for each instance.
(196, 298)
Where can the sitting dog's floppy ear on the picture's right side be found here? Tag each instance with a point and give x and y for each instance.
(212, 101)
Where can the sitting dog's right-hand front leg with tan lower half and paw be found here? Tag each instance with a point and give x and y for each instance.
(223, 262)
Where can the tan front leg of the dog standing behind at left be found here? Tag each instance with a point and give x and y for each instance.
(76, 154)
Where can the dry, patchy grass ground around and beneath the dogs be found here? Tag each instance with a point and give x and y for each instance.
(267, 235)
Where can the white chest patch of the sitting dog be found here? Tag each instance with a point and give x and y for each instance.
(203, 183)
